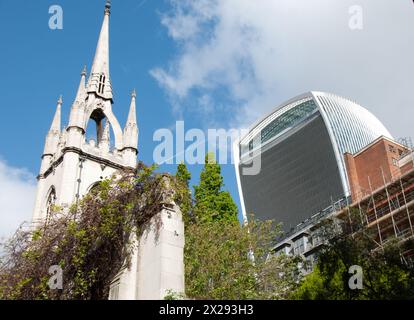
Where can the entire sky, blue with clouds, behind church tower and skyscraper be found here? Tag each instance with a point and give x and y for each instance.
(213, 64)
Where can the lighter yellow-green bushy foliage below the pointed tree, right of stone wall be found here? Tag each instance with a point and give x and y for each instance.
(227, 261)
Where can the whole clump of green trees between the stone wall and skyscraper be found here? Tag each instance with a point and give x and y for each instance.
(226, 260)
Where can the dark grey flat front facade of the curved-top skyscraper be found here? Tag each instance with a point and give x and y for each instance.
(298, 176)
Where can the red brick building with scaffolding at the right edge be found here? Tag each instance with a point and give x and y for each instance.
(381, 177)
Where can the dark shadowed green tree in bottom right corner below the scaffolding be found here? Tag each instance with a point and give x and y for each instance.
(385, 275)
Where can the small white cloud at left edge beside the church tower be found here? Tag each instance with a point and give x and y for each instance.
(17, 196)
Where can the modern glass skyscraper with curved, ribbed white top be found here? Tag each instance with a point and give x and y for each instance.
(300, 147)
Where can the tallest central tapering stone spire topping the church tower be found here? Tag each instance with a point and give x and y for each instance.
(99, 81)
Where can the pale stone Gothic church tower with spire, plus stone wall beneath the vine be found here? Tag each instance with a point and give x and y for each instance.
(72, 165)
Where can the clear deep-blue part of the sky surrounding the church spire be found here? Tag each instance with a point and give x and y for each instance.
(38, 64)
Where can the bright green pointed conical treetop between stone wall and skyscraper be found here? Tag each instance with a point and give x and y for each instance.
(211, 203)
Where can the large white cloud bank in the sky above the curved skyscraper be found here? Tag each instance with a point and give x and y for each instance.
(253, 55)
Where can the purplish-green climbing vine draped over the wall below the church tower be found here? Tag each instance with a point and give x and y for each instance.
(91, 241)
